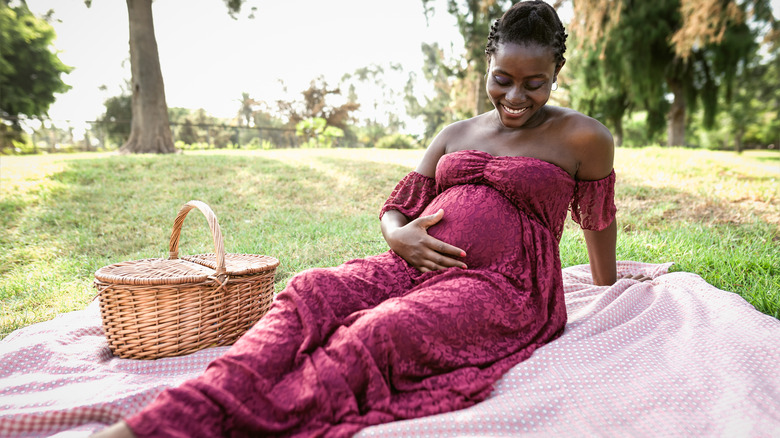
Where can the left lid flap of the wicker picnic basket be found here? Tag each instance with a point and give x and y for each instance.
(154, 272)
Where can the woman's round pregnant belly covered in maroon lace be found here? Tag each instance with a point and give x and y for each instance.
(480, 221)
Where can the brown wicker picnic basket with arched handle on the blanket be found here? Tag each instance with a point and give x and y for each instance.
(155, 308)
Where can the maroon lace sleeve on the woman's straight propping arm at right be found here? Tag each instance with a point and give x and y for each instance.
(593, 204)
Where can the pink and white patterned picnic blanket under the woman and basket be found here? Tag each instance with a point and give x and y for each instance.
(673, 356)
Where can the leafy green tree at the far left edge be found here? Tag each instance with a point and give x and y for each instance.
(30, 73)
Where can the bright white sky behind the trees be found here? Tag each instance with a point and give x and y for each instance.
(208, 59)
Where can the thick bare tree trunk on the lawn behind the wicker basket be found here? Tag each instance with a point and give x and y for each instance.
(150, 131)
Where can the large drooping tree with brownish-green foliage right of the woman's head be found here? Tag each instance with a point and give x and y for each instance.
(686, 48)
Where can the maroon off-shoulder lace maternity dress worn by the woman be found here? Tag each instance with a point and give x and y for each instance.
(374, 340)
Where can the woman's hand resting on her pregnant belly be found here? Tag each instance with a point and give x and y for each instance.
(413, 243)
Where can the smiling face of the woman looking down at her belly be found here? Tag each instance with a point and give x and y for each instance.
(520, 77)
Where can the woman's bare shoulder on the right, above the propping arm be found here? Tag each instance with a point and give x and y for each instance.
(589, 141)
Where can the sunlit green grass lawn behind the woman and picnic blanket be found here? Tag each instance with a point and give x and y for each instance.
(62, 217)
